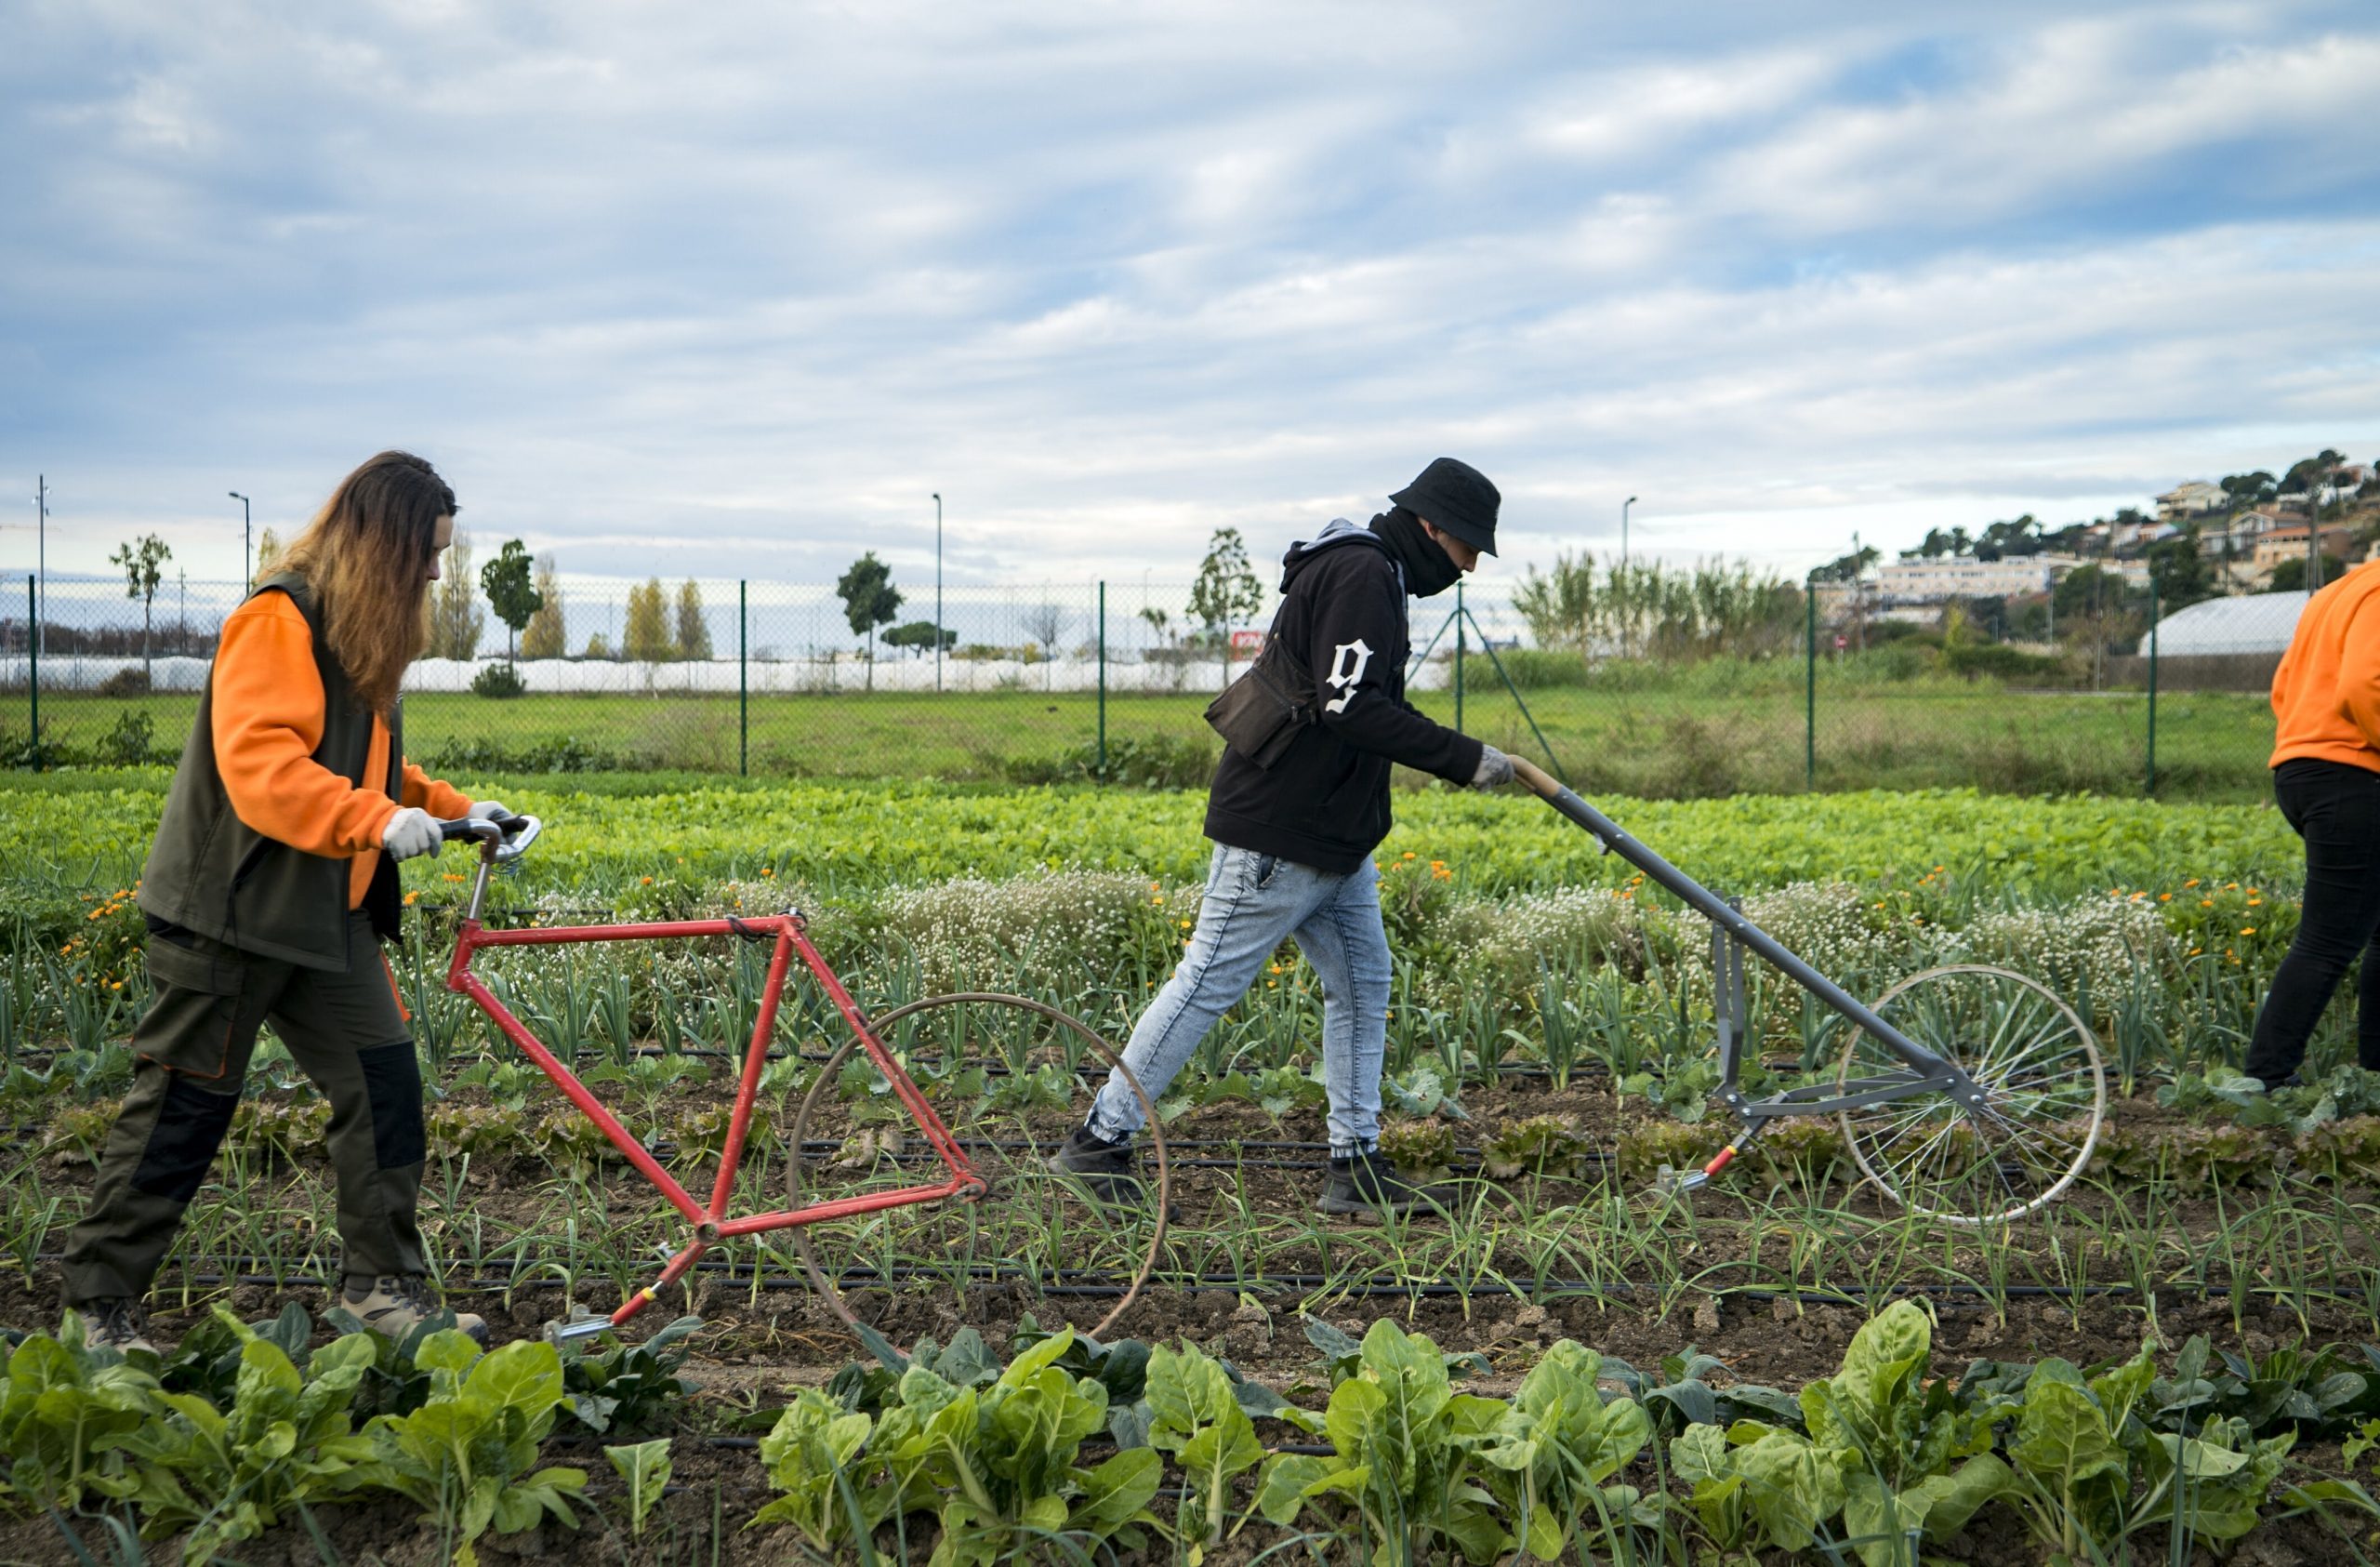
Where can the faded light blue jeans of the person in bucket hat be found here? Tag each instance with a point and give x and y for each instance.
(1253, 904)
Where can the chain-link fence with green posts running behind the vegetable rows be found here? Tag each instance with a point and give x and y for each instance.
(1048, 682)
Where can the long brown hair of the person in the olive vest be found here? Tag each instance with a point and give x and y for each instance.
(368, 556)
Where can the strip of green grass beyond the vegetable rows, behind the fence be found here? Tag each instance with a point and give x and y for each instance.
(1674, 739)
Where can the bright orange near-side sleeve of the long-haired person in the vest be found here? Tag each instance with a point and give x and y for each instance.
(268, 723)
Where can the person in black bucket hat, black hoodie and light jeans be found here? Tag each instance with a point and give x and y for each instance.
(1296, 837)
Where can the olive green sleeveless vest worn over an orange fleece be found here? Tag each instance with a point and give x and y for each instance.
(220, 878)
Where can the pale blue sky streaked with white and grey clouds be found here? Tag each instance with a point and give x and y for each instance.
(732, 289)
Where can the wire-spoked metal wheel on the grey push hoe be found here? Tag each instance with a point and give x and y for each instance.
(2046, 1099)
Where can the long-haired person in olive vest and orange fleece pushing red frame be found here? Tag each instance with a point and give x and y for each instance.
(268, 894)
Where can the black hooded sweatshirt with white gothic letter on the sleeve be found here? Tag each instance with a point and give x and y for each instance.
(1327, 801)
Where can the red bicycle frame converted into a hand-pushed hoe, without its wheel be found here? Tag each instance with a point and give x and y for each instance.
(710, 1223)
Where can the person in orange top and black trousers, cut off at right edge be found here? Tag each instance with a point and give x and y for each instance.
(2326, 775)
